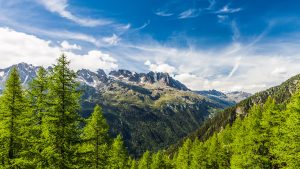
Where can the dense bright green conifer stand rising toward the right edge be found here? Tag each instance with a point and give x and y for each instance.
(268, 137)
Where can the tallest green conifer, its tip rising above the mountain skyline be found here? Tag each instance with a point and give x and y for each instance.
(62, 129)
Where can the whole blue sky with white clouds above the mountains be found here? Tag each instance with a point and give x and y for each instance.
(228, 45)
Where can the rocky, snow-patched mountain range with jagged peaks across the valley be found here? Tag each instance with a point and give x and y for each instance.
(151, 110)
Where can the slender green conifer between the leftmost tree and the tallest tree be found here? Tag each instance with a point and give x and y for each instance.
(38, 107)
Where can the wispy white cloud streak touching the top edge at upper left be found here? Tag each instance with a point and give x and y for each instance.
(60, 7)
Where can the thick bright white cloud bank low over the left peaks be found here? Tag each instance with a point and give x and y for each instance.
(16, 47)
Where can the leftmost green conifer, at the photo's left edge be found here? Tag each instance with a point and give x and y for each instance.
(13, 106)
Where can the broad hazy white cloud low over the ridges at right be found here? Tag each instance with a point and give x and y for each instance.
(249, 67)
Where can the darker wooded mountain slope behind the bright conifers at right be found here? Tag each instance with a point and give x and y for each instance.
(281, 93)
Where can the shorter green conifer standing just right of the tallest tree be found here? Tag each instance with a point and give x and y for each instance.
(95, 141)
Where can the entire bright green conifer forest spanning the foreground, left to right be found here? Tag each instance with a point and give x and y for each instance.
(42, 127)
